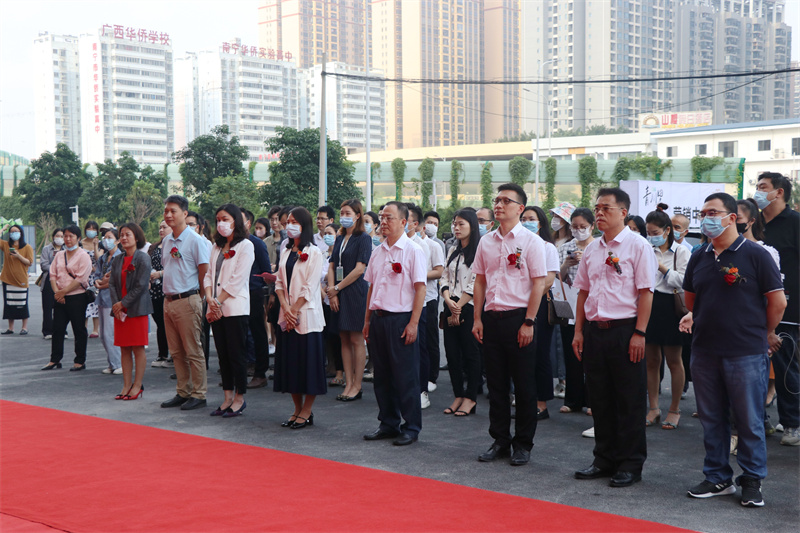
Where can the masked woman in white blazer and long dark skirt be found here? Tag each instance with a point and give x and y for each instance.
(300, 359)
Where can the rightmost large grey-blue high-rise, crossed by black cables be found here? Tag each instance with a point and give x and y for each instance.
(716, 36)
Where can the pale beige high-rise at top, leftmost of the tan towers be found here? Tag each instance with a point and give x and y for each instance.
(308, 28)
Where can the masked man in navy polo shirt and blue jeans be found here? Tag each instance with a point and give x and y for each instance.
(735, 293)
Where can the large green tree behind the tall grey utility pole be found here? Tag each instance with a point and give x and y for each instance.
(294, 179)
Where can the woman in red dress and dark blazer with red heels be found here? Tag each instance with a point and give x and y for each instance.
(129, 284)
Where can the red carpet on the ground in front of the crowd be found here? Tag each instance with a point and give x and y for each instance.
(79, 473)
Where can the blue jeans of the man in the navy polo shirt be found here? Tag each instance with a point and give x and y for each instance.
(732, 384)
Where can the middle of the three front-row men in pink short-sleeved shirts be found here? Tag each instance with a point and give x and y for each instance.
(510, 272)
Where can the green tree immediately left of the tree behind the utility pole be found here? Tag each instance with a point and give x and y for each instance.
(208, 157)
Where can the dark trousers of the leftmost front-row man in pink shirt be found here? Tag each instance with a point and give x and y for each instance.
(396, 379)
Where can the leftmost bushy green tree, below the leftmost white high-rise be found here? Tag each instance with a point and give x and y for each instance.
(53, 183)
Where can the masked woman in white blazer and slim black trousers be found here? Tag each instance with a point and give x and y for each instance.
(227, 289)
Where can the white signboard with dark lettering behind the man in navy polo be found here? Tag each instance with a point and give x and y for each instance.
(682, 198)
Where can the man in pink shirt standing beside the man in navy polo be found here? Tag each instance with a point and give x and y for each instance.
(616, 279)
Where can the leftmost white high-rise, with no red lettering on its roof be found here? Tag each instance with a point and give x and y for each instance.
(56, 92)
